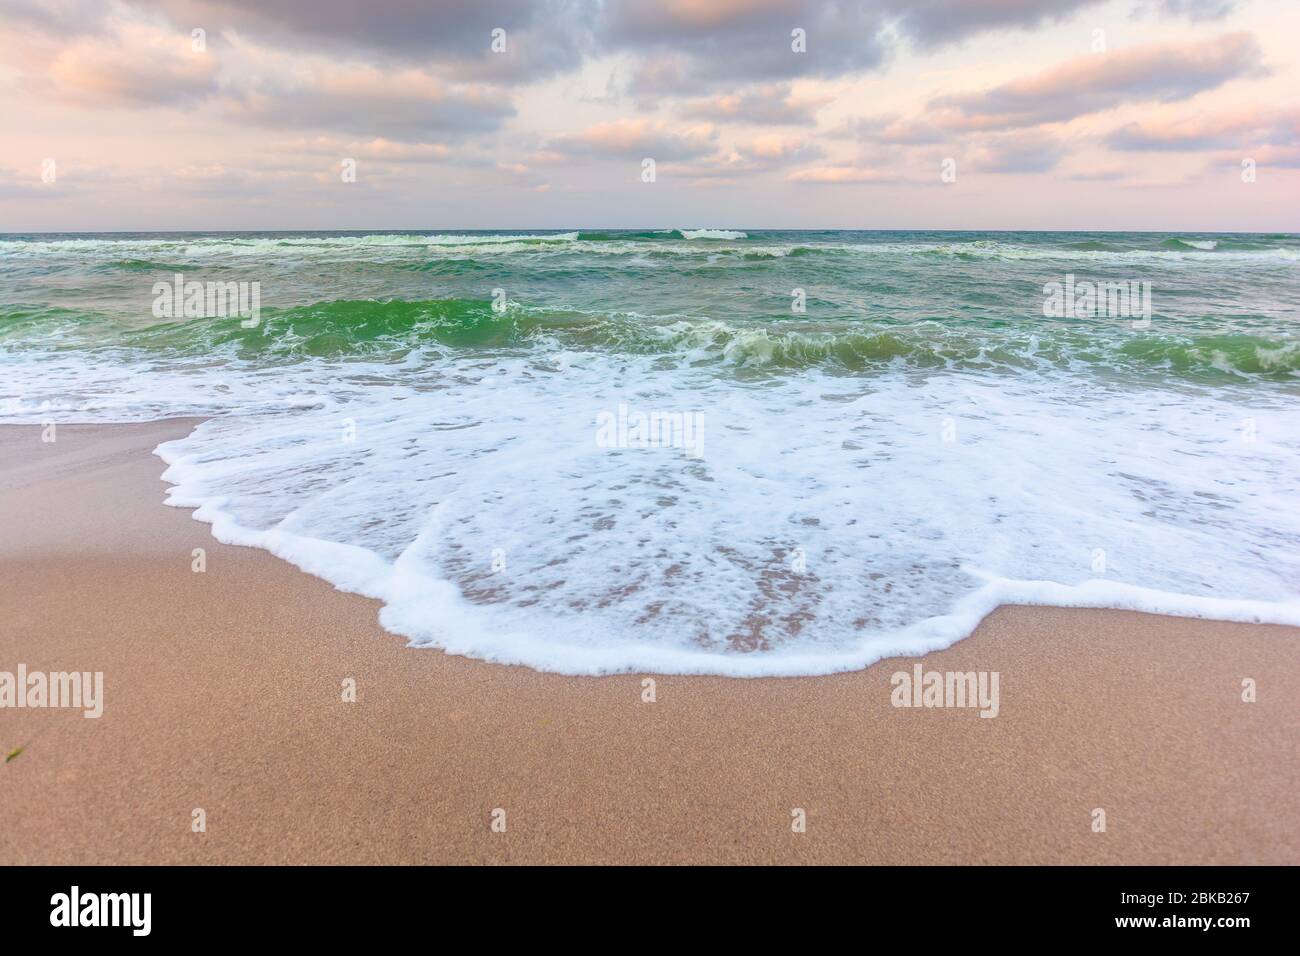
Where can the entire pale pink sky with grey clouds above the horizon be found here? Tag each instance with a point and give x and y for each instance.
(450, 115)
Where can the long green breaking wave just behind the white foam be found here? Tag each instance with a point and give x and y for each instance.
(354, 328)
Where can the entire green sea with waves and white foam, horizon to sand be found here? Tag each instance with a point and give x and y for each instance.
(417, 417)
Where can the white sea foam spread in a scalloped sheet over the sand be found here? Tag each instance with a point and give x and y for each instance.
(644, 560)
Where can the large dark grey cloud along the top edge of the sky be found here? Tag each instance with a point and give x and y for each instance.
(718, 38)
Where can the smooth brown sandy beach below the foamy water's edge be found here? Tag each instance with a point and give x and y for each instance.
(223, 691)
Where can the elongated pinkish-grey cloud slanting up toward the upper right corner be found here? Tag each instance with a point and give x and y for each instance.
(1100, 81)
